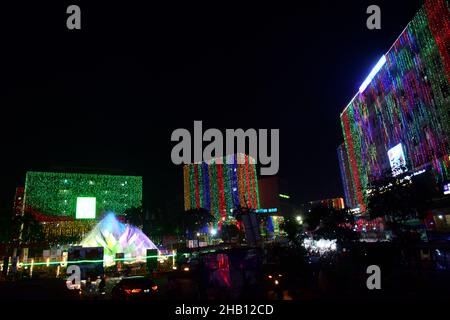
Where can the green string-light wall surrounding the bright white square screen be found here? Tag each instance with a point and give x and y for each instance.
(55, 194)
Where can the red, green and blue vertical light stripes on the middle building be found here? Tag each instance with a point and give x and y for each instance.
(221, 185)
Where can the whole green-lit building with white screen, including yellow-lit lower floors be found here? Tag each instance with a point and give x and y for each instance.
(69, 204)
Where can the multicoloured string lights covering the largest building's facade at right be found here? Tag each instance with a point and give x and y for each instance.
(406, 101)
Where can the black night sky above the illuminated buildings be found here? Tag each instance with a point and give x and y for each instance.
(109, 96)
